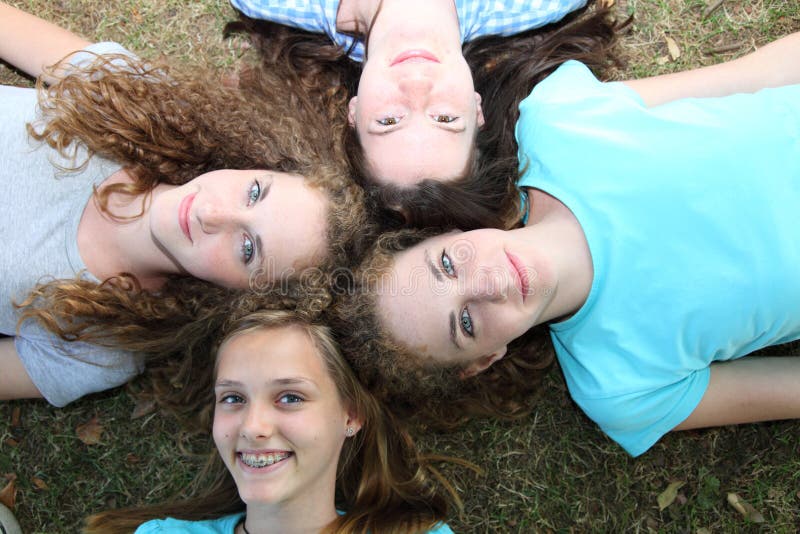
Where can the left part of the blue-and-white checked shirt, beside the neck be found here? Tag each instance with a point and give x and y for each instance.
(317, 16)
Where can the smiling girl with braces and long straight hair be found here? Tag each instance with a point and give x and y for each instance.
(301, 446)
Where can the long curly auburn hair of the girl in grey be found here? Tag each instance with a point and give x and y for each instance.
(165, 125)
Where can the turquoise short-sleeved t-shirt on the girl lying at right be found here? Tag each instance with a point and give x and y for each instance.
(690, 210)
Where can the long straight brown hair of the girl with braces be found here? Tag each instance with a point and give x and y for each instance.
(383, 483)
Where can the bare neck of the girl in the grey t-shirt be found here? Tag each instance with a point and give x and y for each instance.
(109, 246)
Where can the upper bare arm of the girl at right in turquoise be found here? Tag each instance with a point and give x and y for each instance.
(773, 65)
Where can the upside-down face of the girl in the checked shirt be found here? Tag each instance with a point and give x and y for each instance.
(417, 116)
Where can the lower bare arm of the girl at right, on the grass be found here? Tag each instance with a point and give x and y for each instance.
(749, 390)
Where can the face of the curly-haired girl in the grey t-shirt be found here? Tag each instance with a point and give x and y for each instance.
(230, 225)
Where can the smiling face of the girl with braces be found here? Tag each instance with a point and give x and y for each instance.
(279, 421)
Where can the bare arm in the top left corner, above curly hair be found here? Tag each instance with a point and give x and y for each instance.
(30, 43)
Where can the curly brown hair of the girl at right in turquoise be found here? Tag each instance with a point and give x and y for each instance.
(411, 383)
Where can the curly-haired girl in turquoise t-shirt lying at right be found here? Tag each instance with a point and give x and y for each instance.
(661, 247)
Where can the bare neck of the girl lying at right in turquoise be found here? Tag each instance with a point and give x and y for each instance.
(553, 228)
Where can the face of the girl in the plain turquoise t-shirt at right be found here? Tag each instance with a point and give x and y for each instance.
(460, 298)
